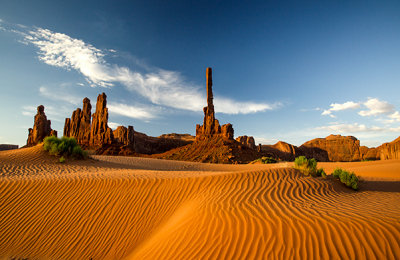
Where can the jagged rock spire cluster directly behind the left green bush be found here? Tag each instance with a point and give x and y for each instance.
(78, 126)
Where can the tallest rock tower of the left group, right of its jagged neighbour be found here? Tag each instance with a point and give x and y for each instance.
(100, 132)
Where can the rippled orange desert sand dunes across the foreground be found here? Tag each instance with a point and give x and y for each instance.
(141, 208)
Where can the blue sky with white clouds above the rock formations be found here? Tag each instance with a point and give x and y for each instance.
(281, 70)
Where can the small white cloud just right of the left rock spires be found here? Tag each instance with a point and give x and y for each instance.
(131, 111)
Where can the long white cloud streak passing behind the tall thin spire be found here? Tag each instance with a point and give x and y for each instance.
(161, 87)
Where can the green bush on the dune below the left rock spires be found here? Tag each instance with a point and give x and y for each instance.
(65, 146)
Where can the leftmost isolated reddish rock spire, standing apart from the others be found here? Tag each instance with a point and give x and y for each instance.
(41, 128)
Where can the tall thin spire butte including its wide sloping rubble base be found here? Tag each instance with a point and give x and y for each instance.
(214, 143)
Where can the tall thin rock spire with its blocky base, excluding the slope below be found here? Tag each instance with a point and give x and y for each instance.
(211, 126)
